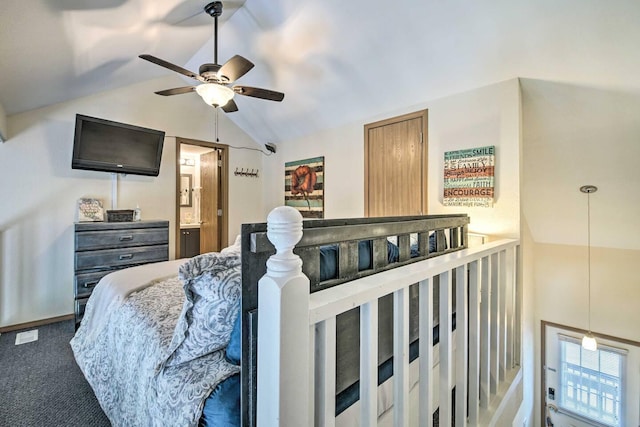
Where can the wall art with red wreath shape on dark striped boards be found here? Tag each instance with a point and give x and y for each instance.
(304, 186)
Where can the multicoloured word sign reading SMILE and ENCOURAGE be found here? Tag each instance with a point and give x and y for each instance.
(469, 177)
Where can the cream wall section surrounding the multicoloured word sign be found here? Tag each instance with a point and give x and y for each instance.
(481, 117)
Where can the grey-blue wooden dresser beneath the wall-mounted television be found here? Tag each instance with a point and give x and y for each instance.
(103, 247)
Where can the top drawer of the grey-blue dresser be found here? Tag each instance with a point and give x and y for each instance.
(91, 240)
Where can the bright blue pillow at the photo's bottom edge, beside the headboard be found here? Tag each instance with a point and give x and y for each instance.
(222, 407)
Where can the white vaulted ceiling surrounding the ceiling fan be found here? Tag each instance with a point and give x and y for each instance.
(337, 61)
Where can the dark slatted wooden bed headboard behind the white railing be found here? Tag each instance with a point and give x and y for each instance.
(451, 236)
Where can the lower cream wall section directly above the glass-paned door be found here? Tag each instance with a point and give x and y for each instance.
(562, 290)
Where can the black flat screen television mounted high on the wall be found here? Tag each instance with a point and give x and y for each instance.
(108, 146)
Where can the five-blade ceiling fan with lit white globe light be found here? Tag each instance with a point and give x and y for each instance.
(215, 78)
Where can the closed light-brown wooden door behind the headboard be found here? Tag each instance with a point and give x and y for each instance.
(395, 166)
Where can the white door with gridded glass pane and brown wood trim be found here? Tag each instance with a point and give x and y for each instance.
(587, 388)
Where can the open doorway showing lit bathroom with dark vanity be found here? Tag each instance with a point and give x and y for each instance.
(202, 197)
